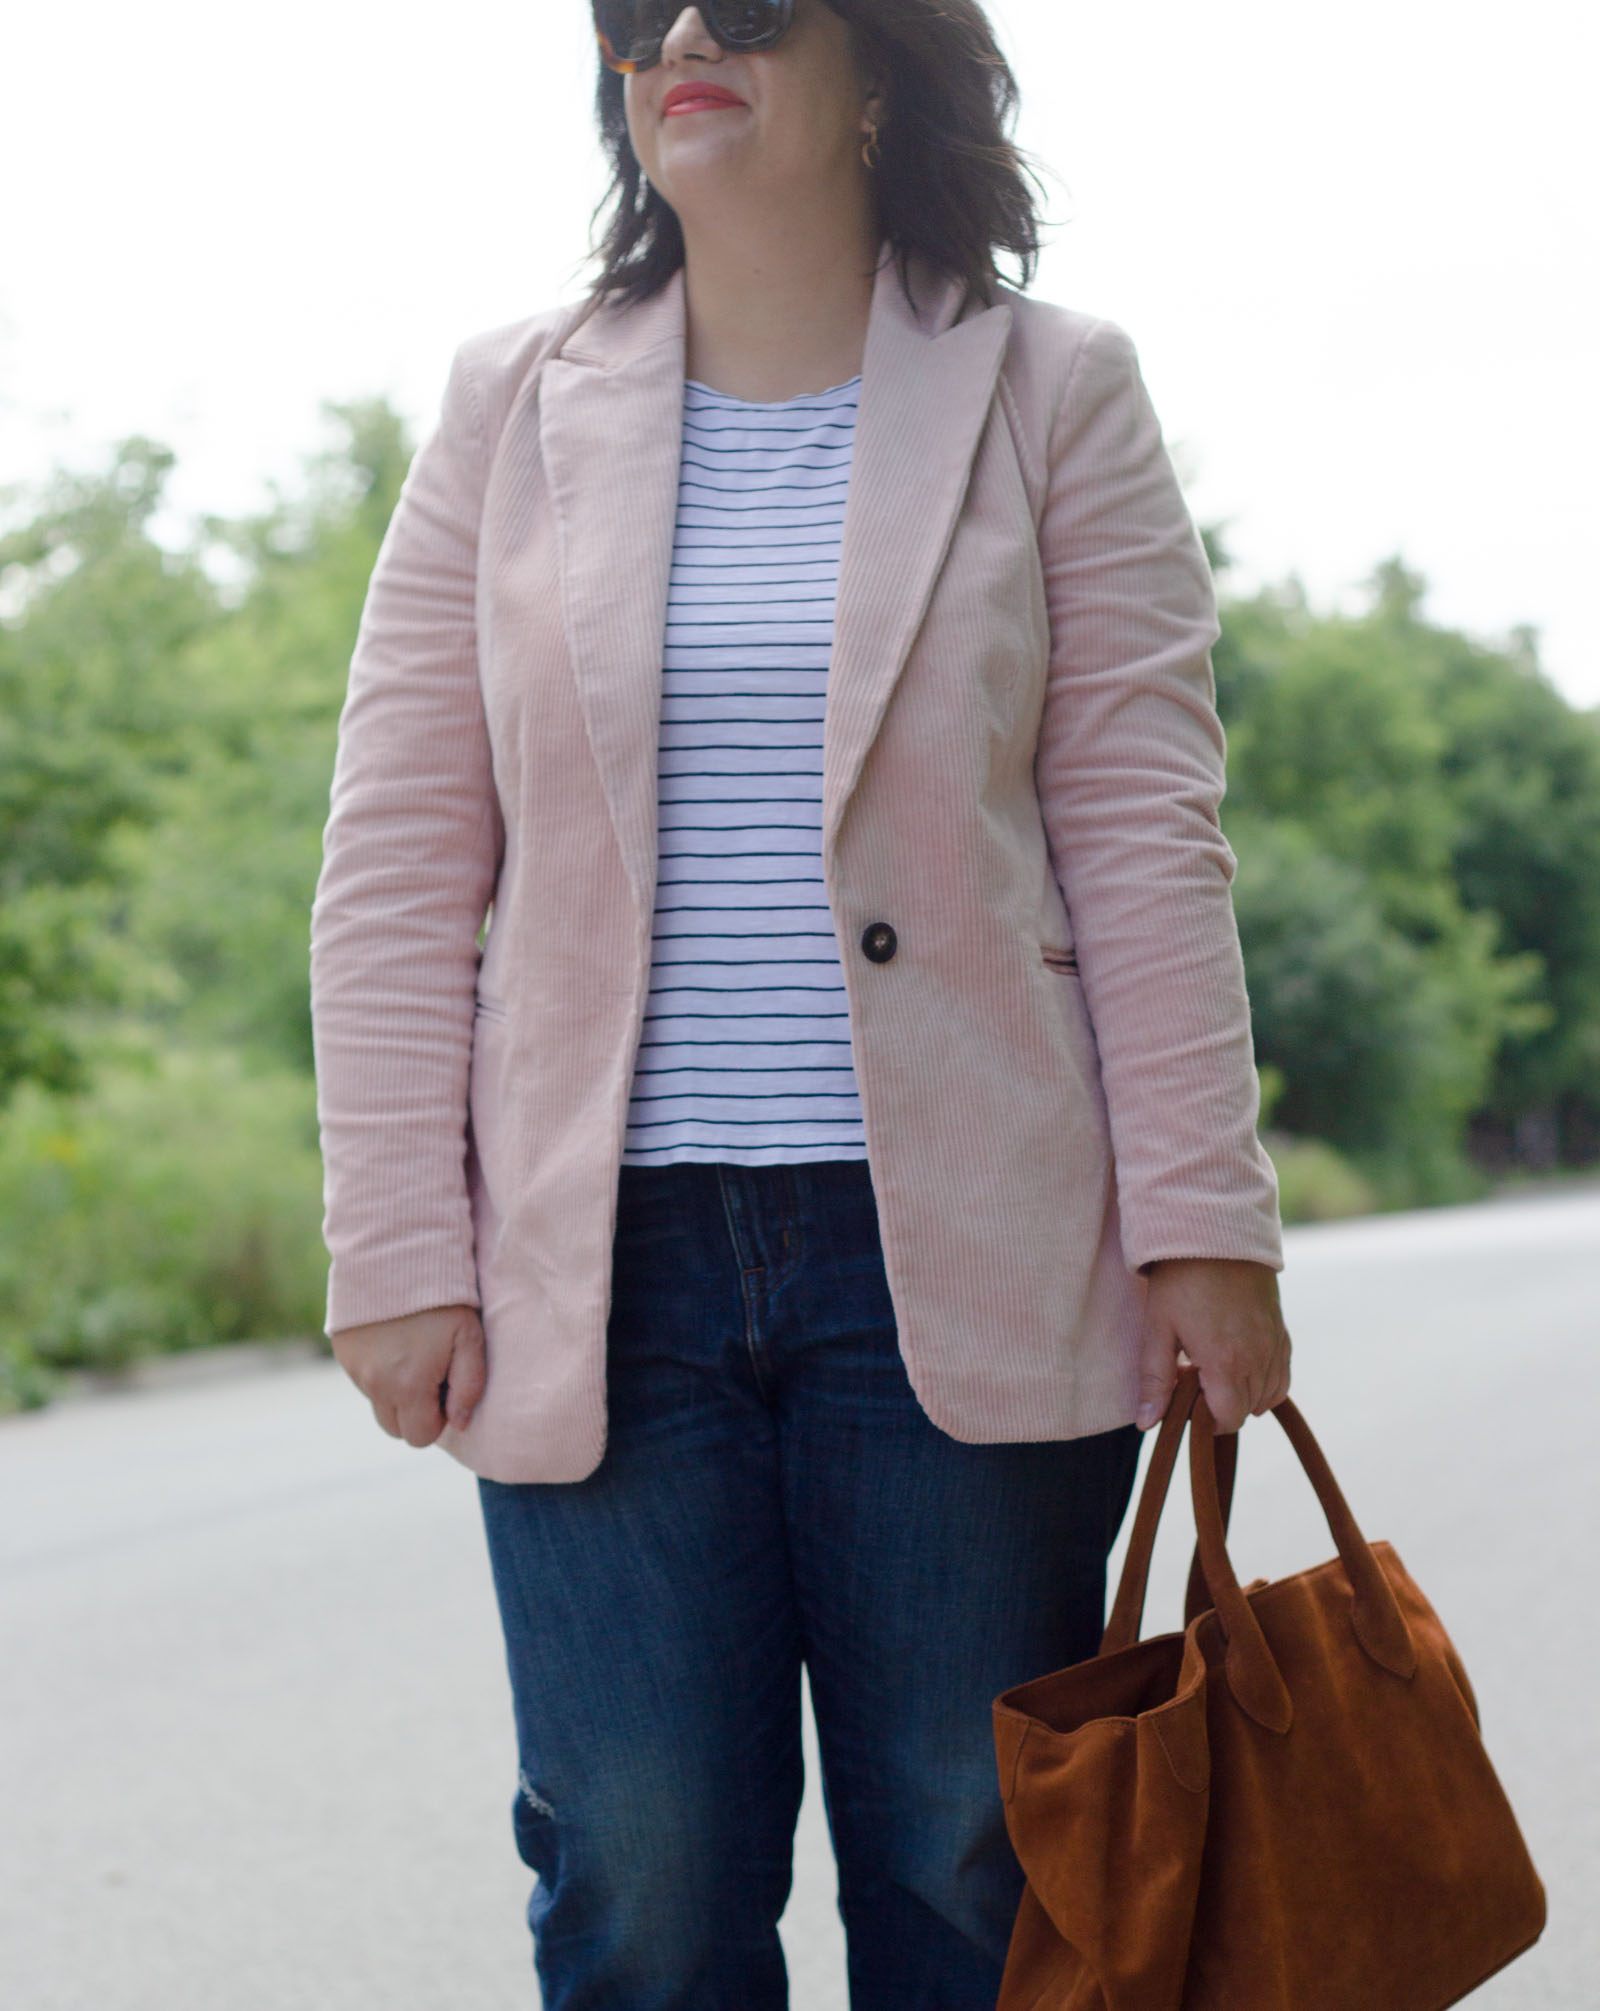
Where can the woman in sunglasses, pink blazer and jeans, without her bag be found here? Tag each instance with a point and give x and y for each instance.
(803, 651)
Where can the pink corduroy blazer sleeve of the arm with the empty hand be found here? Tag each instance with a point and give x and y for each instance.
(411, 858)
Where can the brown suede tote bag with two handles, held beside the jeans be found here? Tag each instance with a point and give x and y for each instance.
(1287, 1807)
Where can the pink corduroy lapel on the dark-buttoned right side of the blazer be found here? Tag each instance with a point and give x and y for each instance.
(926, 393)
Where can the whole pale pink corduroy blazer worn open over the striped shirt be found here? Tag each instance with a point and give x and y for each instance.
(1022, 773)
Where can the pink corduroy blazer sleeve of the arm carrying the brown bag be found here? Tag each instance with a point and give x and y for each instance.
(1131, 779)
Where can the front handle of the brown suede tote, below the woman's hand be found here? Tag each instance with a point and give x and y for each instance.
(1376, 1618)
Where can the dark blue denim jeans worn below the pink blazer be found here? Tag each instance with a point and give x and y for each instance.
(773, 1495)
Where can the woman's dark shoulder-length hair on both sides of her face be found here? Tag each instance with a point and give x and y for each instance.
(950, 184)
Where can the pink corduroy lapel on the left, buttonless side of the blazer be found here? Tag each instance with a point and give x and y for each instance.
(612, 415)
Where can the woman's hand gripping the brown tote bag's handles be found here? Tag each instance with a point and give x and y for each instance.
(1225, 1316)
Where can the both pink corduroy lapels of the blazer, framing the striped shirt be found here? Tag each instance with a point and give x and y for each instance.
(612, 415)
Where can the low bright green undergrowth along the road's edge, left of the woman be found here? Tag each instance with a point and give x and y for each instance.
(174, 1204)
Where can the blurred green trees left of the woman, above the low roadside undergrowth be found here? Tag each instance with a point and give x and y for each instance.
(166, 755)
